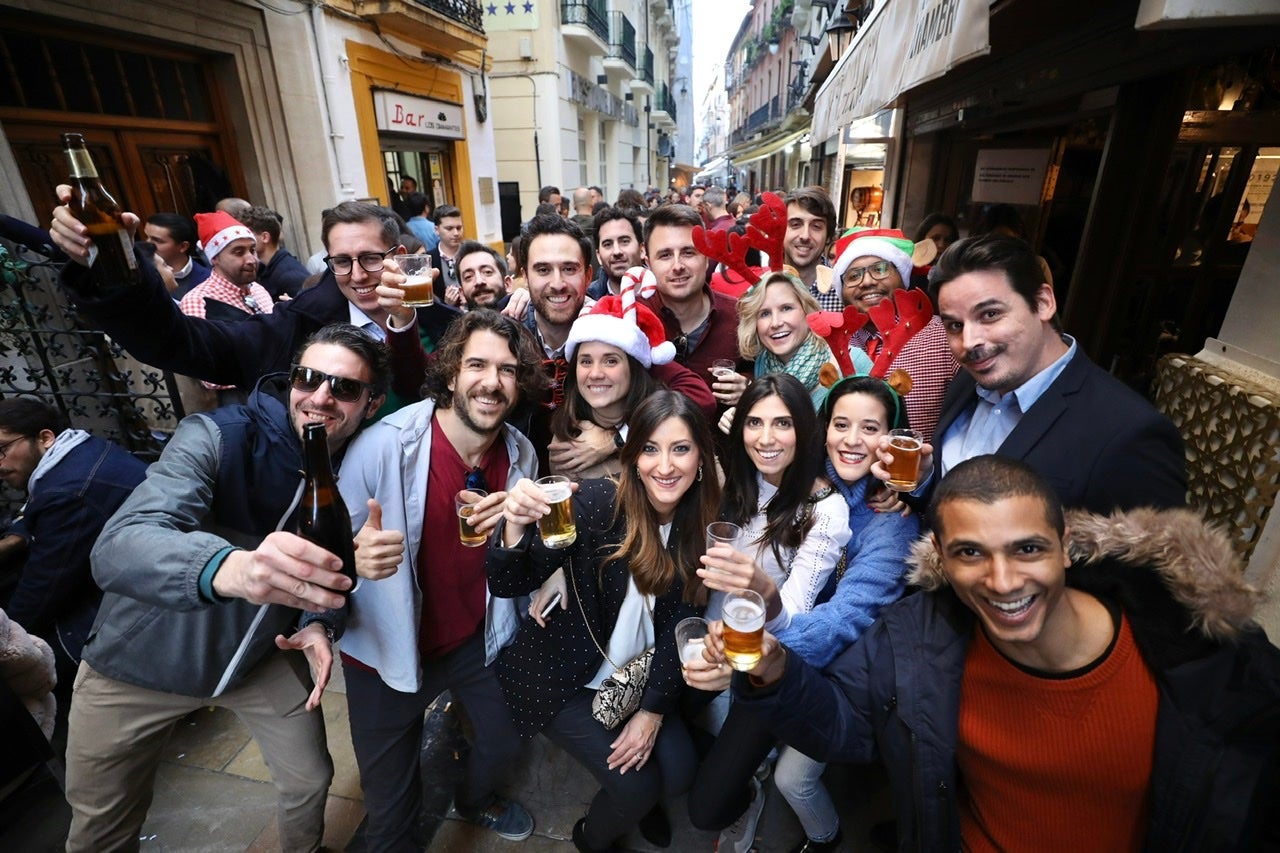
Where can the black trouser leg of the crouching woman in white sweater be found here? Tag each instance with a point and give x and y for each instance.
(723, 791)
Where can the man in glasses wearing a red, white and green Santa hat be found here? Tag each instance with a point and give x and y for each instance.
(872, 264)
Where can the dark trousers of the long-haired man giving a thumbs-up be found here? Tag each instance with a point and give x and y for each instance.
(387, 736)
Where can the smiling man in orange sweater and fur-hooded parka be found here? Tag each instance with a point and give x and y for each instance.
(1095, 687)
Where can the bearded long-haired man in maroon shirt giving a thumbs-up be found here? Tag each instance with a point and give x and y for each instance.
(427, 623)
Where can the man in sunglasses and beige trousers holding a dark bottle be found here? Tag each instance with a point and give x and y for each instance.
(208, 597)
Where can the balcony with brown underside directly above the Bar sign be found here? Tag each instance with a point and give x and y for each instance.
(454, 29)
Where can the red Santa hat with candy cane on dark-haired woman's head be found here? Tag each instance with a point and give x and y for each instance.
(627, 325)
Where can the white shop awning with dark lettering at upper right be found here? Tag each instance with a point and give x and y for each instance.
(902, 45)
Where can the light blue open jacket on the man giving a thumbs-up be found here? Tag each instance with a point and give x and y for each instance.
(390, 463)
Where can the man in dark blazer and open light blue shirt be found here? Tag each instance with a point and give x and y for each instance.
(1030, 393)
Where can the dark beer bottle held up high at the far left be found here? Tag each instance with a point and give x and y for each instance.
(112, 256)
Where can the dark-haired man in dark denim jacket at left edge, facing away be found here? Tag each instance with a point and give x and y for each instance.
(74, 482)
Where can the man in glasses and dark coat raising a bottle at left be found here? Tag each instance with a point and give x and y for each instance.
(359, 239)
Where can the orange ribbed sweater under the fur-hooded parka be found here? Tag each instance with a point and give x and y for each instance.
(1055, 764)
